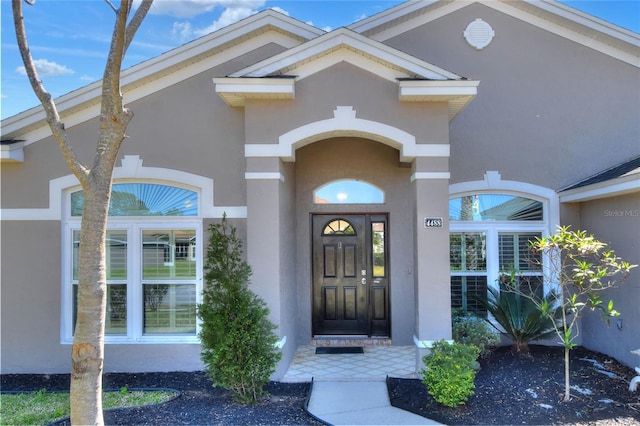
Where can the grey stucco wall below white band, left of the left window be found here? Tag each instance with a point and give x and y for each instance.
(30, 316)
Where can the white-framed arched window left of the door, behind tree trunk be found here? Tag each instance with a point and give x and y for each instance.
(153, 265)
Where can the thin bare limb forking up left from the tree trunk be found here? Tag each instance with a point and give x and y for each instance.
(56, 125)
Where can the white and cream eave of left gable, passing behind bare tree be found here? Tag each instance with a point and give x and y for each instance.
(168, 68)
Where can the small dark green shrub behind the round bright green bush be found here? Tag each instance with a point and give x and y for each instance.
(471, 329)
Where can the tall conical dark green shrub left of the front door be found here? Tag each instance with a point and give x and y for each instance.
(238, 343)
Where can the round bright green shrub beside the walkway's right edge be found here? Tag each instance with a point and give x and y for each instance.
(449, 372)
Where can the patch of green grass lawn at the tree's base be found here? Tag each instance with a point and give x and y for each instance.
(44, 407)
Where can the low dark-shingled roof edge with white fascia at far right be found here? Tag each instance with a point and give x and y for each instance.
(620, 179)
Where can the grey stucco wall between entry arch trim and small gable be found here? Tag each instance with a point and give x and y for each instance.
(343, 84)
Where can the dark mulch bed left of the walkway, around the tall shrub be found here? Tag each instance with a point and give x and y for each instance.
(199, 402)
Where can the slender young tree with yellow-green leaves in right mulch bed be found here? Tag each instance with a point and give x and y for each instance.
(581, 268)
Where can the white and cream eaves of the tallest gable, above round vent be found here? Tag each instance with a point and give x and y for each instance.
(549, 15)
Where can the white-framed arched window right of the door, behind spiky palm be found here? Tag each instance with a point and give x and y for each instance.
(489, 237)
